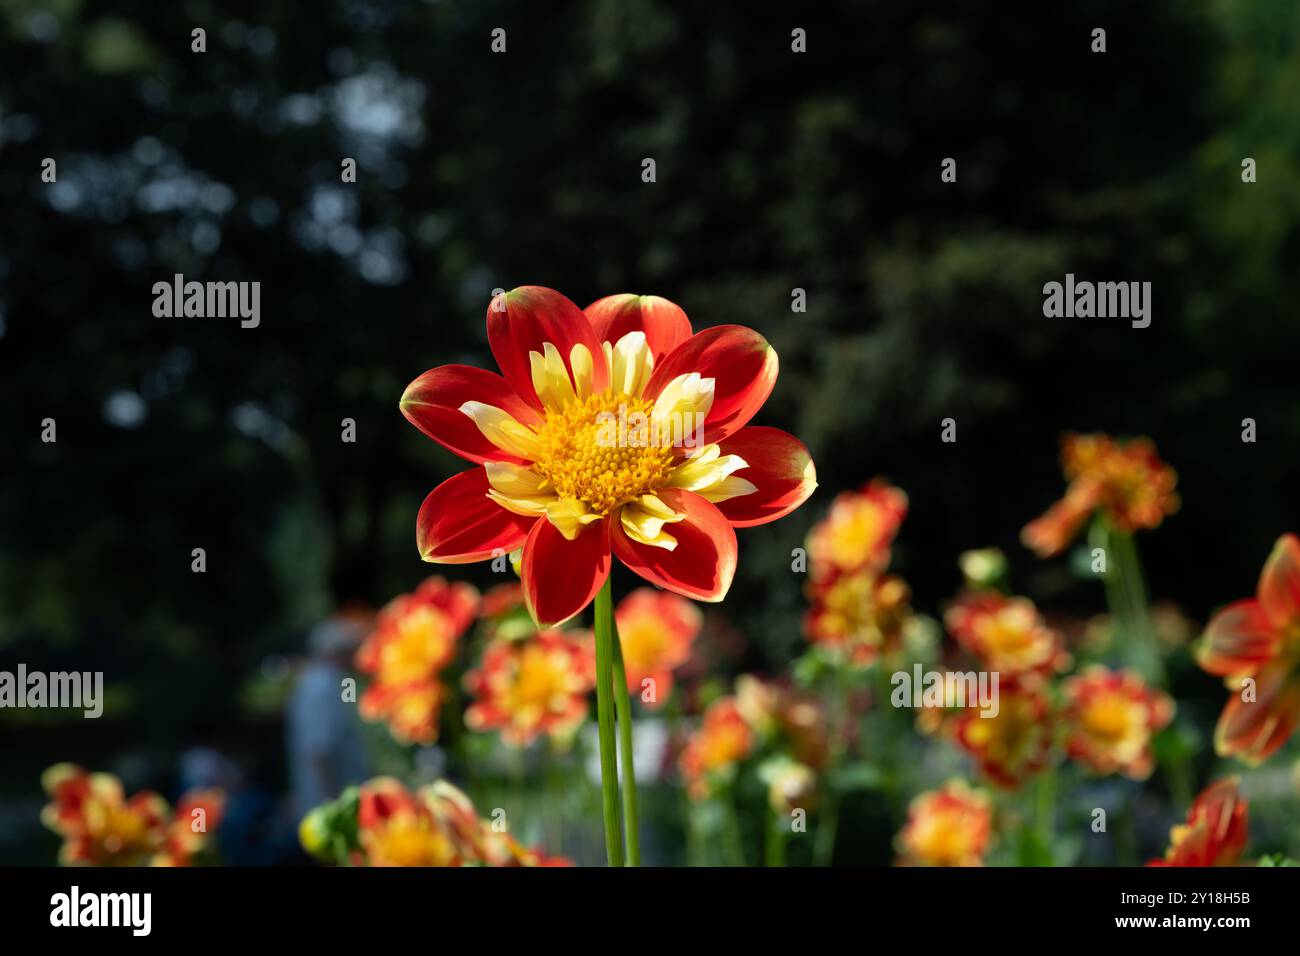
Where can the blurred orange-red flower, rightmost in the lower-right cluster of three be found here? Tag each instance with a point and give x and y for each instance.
(1112, 717)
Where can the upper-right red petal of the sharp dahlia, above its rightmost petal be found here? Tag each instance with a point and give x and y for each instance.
(742, 365)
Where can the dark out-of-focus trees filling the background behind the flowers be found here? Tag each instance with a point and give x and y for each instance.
(775, 171)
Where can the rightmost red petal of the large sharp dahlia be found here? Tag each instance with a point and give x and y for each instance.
(781, 466)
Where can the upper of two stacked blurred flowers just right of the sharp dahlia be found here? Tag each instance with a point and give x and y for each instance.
(859, 530)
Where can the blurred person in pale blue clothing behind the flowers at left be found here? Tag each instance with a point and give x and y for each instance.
(326, 747)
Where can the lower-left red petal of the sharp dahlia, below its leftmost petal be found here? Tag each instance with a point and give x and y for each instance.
(460, 524)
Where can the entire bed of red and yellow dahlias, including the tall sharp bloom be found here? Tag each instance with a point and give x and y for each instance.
(577, 720)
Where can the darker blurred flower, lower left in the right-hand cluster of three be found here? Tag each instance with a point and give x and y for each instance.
(1017, 742)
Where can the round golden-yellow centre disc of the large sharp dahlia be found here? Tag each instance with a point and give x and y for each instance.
(604, 451)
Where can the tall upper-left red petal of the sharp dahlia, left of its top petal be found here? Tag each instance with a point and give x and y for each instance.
(519, 322)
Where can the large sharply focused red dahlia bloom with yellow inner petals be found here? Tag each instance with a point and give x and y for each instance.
(610, 432)
